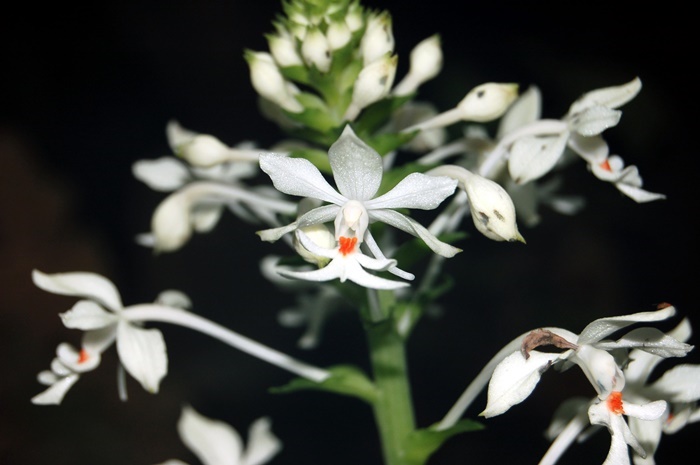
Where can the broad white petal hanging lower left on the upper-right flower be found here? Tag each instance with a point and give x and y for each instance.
(533, 157)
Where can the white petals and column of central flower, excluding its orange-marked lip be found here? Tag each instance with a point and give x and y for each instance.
(357, 171)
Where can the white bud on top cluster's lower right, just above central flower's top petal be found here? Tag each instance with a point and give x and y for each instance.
(372, 84)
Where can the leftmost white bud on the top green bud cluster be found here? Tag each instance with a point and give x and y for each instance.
(269, 82)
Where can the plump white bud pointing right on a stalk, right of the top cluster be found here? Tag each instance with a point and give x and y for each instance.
(487, 102)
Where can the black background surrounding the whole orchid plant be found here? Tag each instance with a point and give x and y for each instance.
(87, 90)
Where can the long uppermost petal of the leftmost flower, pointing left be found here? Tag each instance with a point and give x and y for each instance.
(80, 284)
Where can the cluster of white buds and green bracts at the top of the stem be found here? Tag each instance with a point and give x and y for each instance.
(329, 63)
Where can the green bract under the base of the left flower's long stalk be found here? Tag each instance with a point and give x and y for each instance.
(345, 379)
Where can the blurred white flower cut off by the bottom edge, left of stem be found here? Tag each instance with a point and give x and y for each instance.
(217, 443)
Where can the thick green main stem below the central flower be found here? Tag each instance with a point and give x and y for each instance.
(393, 409)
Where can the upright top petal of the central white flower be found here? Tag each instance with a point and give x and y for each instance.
(357, 168)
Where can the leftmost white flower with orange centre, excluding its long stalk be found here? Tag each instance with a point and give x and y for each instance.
(141, 351)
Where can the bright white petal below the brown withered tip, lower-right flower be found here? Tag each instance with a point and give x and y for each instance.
(514, 379)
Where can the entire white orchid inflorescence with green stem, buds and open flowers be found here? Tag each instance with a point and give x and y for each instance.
(348, 191)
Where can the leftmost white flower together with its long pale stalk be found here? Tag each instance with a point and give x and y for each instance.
(142, 352)
